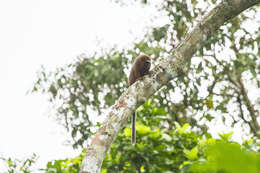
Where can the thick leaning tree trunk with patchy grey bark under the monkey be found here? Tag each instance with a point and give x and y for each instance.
(169, 68)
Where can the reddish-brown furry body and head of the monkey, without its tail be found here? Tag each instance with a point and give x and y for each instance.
(141, 67)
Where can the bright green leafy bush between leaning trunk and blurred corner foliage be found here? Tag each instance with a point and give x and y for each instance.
(156, 150)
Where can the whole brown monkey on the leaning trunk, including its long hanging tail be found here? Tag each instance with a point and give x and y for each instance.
(140, 67)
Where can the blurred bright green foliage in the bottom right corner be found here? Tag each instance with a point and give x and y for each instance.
(228, 157)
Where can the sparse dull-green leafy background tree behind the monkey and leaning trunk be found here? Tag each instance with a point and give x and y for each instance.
(216, 87)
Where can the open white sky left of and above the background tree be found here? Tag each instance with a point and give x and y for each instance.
(49, 33)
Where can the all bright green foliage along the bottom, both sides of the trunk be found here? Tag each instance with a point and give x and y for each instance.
(179, 150)
